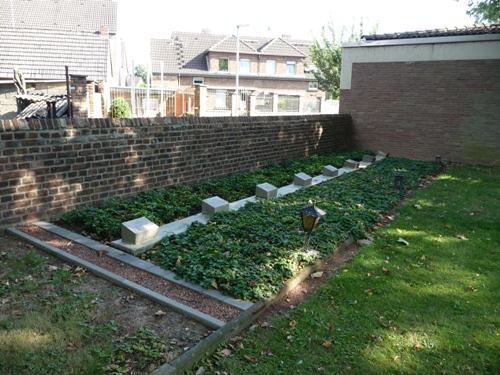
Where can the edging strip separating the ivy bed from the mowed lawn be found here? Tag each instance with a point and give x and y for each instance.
(208, 345)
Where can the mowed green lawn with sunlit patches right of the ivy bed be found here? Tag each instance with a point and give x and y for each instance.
(432, 306)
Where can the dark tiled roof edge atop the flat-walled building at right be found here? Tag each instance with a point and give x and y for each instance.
(473, 30)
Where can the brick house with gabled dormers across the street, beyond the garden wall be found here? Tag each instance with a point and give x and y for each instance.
(274, 76)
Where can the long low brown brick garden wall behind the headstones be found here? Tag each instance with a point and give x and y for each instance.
(48, 167)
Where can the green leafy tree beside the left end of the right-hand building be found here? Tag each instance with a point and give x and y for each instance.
(326, 54)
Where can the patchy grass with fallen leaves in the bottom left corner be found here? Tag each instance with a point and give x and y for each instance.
(50, 324)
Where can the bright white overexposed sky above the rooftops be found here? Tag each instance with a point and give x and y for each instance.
(138, 21)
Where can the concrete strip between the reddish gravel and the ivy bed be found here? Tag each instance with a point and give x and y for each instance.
(143, 265)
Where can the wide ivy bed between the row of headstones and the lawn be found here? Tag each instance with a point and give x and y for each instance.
(250, 253)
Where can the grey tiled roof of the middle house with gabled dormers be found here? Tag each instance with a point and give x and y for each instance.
(186, 51)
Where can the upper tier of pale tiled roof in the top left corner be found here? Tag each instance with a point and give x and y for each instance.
(68, 15)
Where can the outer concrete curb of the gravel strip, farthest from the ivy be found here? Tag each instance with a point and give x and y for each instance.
(185, 310)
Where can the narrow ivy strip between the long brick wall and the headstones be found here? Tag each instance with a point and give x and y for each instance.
(164, 205)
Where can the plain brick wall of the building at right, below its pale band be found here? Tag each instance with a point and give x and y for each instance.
(422, 109)
